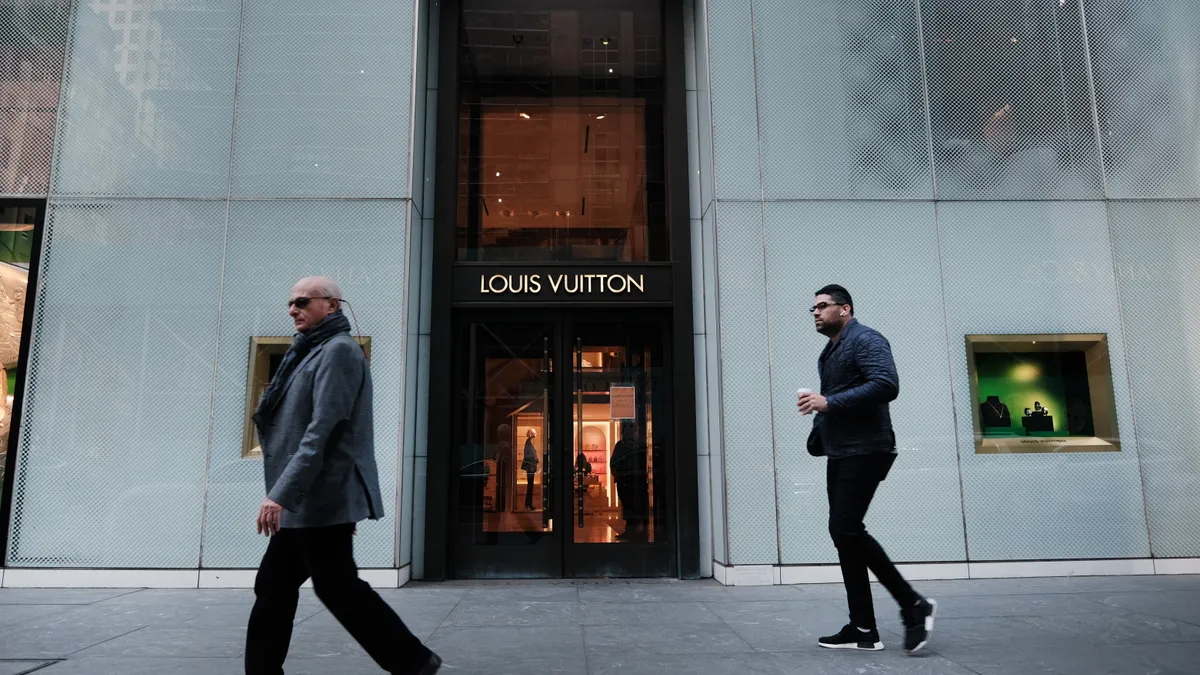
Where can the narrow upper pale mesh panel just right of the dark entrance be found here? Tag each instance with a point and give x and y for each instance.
(734, 110)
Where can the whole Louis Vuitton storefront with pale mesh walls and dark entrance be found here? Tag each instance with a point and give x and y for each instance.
(581, 241)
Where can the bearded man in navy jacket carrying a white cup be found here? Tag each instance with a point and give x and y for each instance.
(854, 429)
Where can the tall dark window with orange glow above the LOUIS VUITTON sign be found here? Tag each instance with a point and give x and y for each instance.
(561, 135)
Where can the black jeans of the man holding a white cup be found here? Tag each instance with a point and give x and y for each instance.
(851, 483)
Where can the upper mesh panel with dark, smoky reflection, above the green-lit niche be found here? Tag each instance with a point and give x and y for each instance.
(1010, 101)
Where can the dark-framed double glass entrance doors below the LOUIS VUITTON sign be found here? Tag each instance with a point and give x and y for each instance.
(562, 449)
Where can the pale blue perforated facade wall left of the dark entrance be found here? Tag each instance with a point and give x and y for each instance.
(206, 159)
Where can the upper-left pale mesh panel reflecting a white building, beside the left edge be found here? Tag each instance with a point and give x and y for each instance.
(149, 99)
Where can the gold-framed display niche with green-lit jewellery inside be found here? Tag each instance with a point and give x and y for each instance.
(1042, 395)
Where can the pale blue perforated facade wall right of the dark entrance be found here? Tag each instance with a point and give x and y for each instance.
(853, 144)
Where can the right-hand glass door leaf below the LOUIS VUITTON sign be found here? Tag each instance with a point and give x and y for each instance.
(621, 426)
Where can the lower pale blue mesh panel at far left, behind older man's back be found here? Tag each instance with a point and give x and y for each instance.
(111, 461)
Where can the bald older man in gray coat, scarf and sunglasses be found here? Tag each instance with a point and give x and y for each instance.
(315, 423)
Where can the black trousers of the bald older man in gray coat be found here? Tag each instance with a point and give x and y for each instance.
(327, 555)
